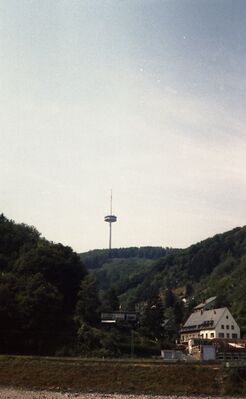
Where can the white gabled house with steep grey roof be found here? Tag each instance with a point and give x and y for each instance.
(210, 324)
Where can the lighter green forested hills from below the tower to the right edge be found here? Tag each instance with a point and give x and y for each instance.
(215, 266)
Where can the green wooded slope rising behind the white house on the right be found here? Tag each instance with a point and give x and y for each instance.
(213, 267)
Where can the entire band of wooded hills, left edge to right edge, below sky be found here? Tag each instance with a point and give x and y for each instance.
(50, 304)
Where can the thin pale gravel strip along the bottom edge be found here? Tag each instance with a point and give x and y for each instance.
(12, 393)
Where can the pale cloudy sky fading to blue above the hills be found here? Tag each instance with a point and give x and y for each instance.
(144, 97)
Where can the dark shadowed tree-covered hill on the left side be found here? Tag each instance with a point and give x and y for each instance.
(40, 284)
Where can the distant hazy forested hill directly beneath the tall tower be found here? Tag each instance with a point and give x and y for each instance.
(123, 269)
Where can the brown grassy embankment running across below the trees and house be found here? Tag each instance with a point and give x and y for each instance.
(117, 376)
